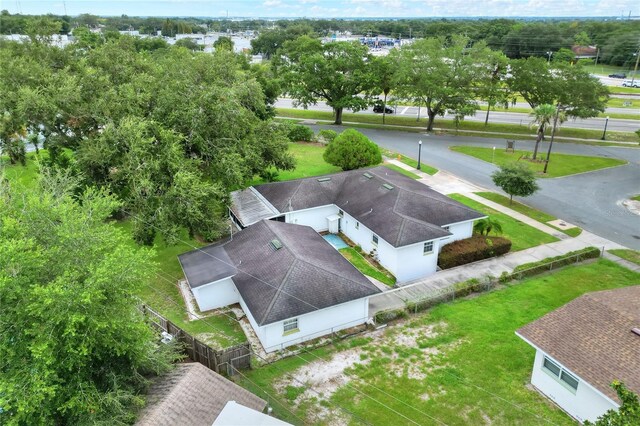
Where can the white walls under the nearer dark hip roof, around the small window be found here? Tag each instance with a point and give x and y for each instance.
(312, 325)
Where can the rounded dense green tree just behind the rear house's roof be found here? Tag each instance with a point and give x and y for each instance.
(352, 150)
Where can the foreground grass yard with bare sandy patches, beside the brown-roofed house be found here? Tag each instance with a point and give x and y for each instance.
(459, 363)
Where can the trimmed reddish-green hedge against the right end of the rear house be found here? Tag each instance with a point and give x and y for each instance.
(472, 249)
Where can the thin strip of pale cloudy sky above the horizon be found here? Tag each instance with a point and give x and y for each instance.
(329, 8)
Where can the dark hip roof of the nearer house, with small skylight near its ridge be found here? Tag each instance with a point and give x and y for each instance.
(305, 275)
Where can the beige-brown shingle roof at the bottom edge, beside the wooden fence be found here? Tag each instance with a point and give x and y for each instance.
(193, 395)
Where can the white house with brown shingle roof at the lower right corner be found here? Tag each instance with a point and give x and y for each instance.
(582, 347)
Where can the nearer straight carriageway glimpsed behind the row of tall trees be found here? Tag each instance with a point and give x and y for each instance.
(522, 119)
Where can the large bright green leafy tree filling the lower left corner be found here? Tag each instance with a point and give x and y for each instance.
(74, 347)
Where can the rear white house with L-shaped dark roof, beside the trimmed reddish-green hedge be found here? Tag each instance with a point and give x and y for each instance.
(403, 222)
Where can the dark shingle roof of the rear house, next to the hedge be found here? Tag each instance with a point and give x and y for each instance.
(409, 213)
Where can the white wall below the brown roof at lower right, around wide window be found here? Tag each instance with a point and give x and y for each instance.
(585, 403)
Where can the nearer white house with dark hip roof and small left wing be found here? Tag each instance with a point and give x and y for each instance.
(291, 283)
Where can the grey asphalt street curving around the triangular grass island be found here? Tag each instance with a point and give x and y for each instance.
(589, 200)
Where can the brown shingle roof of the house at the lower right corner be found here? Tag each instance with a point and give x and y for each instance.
(592, 337)
